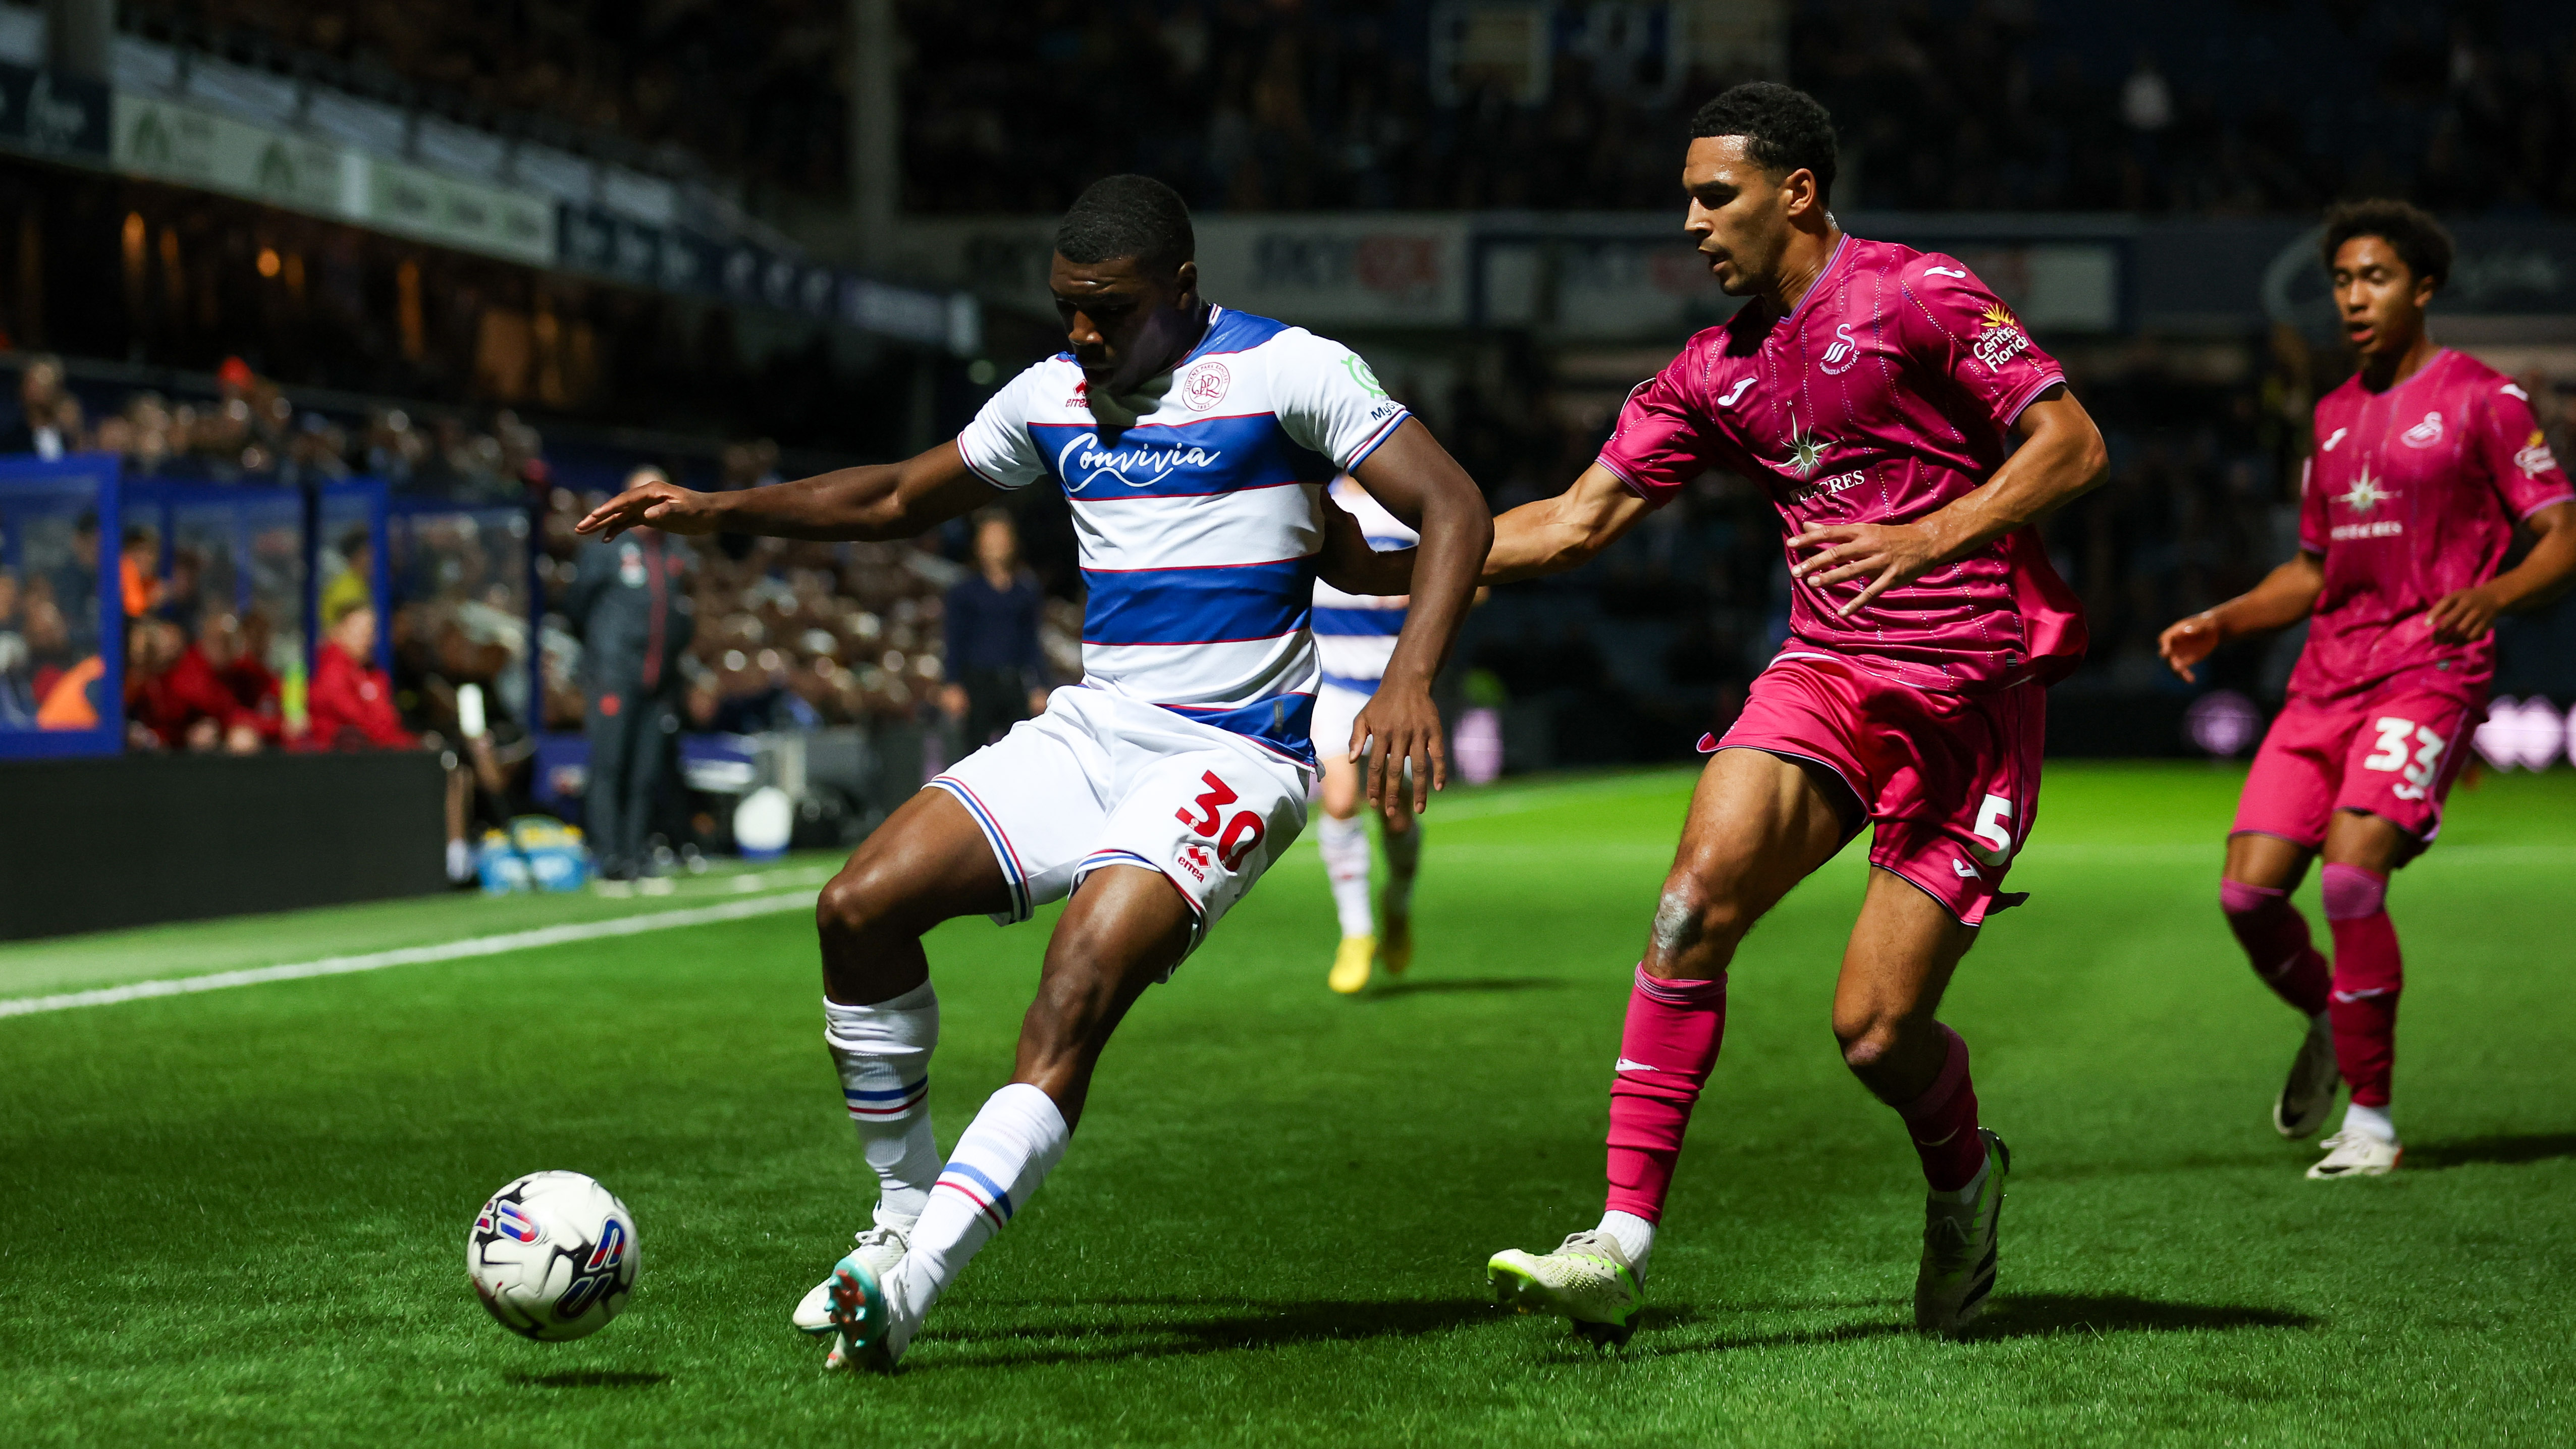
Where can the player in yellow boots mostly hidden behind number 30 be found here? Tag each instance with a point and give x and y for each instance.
(1356, 636)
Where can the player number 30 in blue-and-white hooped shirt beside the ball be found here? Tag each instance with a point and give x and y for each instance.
(1194, 447)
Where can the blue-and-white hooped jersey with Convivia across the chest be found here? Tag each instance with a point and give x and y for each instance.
(1199, 507)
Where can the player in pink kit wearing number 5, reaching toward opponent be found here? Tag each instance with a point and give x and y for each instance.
(1877, 393)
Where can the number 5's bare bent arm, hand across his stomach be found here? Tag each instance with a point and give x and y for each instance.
(2062, 455)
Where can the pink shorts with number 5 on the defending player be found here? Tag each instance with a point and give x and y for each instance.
(1949, 780)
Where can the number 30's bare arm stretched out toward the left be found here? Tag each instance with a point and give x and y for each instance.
(869, 504)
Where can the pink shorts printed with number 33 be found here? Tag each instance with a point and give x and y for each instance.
(2392, 757)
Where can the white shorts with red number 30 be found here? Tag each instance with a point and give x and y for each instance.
(1101, 780)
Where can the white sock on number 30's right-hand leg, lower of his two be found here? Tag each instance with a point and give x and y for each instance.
(998, 1167)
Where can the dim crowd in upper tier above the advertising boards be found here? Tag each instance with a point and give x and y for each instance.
(1331, 104)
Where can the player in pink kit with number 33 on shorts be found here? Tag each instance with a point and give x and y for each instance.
(2425, 463)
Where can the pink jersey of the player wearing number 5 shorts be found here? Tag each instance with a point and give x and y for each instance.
(1882, 398)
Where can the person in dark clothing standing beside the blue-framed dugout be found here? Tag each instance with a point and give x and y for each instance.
(632, 610)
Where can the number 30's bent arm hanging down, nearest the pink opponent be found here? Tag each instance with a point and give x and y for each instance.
(1416, 478)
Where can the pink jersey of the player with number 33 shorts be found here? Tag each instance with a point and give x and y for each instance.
(2415, 494)
